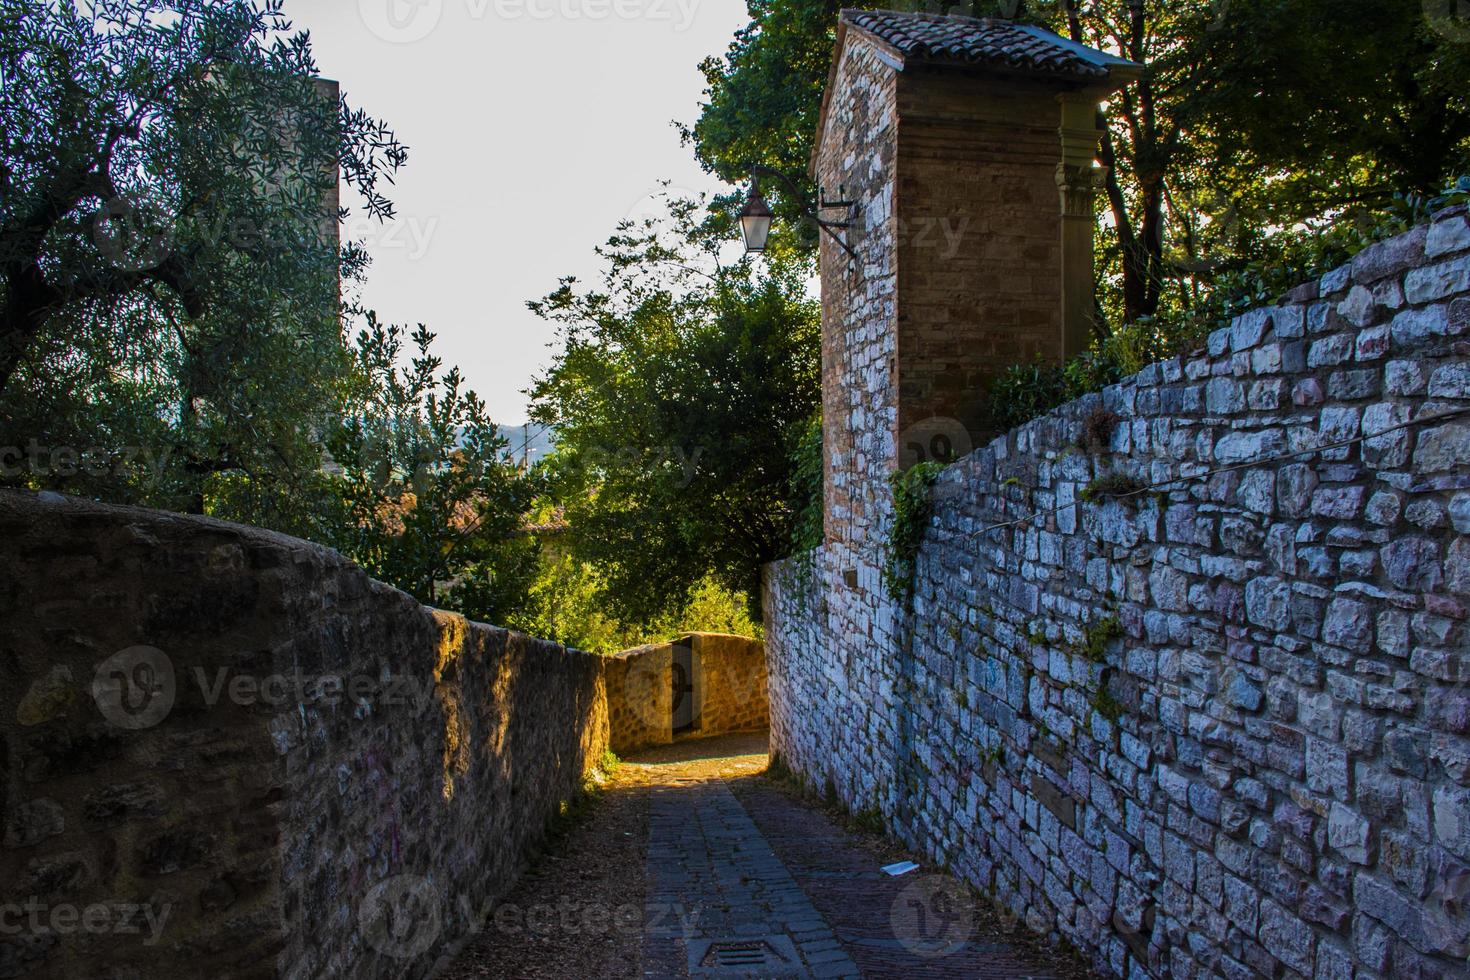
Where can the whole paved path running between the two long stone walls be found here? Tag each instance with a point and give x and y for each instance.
(739, 878)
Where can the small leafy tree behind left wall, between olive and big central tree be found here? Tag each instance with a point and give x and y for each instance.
(421, 490)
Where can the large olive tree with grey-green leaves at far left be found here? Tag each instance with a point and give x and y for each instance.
(170, 261)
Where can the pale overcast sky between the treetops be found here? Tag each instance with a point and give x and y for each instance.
(534, 127)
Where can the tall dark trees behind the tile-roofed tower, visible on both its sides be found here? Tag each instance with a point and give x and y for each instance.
(1255, 114)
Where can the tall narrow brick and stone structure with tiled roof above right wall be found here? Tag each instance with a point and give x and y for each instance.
(969, 151)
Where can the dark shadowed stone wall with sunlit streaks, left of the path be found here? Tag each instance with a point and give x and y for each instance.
(227, 753)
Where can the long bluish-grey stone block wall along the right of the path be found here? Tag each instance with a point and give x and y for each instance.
(1212, 729)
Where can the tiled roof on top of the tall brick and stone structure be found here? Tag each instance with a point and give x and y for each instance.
(953, 40)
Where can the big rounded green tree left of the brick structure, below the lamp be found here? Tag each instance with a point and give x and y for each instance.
(678, 400)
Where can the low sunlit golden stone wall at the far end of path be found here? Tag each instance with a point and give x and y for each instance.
(730, 690)
